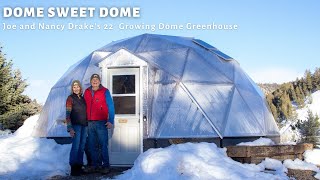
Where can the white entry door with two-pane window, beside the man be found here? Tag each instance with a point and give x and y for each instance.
(124, 138)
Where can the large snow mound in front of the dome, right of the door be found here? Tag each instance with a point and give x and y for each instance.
(193, 161)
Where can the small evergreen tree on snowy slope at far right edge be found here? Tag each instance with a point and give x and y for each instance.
(309, 128)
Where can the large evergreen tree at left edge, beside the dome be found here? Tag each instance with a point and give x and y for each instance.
(14, 106)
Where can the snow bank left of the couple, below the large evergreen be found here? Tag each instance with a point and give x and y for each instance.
(26, 157)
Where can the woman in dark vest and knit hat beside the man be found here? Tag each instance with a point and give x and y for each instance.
(76, 126)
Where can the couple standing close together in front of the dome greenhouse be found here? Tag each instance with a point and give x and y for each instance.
(89, 116)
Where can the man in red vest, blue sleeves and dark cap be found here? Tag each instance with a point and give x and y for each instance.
(100, 116)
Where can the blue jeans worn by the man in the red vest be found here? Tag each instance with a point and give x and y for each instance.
(98, 132)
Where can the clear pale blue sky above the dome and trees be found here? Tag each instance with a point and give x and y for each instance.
(276, 41)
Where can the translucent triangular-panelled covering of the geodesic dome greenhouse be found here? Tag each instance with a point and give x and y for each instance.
(190, 89)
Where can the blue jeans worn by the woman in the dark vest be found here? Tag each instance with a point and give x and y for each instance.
(78, 144)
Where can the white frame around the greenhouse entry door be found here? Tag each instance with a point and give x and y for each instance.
(105, 76)
